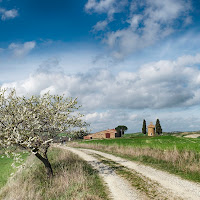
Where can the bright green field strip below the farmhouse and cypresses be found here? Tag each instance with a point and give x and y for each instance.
(158, 142)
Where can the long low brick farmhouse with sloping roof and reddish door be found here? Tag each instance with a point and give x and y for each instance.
(110, 133)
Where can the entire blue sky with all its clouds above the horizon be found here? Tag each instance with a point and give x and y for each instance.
(125, 60)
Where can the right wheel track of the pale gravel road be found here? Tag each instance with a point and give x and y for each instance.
(182, 188)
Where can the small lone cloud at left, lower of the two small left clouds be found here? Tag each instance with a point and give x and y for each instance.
(20, 50)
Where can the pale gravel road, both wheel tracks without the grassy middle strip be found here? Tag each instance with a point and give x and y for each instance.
(173, 186)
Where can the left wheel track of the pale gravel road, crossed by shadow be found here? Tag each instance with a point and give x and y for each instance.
(119, 188)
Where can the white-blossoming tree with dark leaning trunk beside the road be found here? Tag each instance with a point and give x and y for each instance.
(32, 123)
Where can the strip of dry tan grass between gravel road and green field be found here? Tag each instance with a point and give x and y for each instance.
(185, 163)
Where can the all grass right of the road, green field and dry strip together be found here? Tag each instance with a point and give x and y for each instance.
(180, 156)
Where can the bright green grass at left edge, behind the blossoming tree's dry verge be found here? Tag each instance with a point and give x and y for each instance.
(6, 169)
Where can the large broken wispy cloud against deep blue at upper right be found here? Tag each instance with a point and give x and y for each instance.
(148, 21)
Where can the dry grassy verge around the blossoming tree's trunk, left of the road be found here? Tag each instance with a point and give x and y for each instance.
(73, 179)
